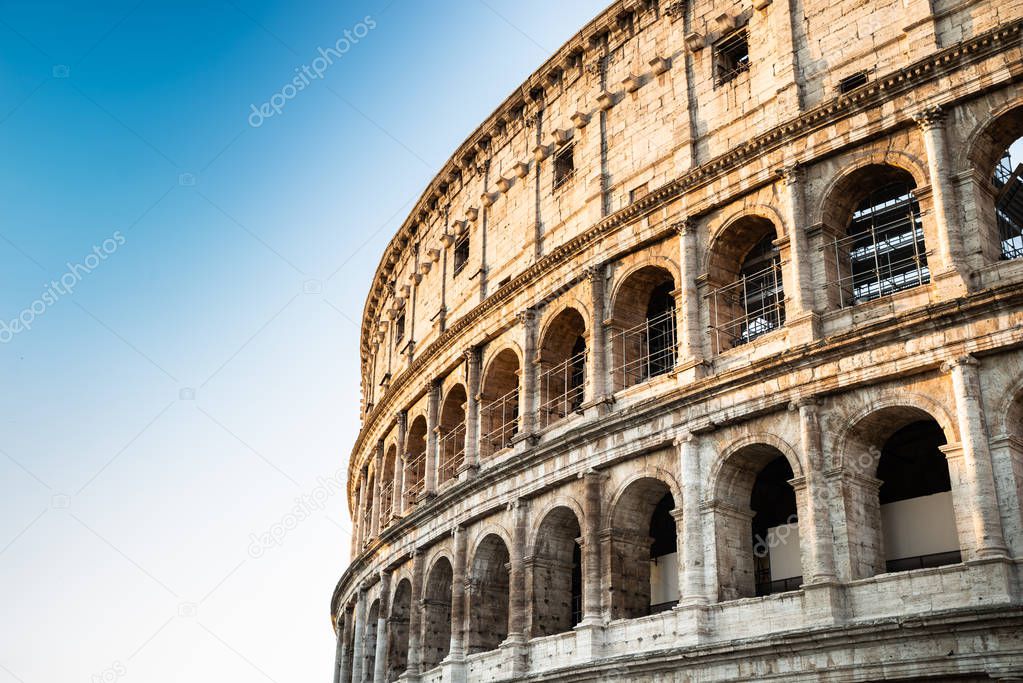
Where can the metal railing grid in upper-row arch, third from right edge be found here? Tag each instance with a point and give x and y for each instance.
(748, 308)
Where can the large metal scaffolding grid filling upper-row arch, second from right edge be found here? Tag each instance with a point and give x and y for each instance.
(884, 253)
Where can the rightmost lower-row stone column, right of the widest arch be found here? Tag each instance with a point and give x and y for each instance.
(977, 470)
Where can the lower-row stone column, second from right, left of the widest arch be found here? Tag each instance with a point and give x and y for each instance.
(815, 525)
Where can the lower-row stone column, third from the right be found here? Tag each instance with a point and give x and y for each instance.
(693, 586)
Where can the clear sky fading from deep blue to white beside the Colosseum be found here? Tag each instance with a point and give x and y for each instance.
(181, 288)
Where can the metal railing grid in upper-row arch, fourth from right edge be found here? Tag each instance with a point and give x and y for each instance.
(645, 351)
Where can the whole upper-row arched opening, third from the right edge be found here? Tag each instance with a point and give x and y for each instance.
(747, 298)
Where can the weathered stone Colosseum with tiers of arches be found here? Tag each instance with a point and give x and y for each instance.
(700, 360)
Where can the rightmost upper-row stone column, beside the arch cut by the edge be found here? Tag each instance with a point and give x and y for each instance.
(931, 123)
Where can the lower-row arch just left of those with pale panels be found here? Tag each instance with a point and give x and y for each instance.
(557, 574)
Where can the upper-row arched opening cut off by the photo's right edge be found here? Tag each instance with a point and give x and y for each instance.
(997, 157)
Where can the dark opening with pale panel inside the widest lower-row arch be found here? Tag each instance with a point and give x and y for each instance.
(918, 522)
